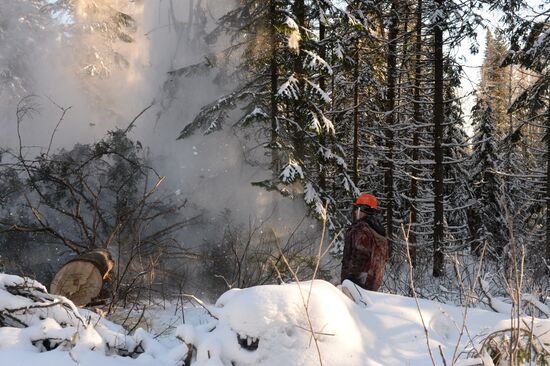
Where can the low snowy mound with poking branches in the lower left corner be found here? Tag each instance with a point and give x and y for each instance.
(37, 328)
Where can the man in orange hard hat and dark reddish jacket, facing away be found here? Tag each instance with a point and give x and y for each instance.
(366, 247)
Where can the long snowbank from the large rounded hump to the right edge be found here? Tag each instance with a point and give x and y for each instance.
(270, 326)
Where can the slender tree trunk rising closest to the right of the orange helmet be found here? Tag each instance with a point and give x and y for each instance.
(390, 116)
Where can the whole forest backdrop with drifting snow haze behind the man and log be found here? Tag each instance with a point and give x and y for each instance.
(212, 144)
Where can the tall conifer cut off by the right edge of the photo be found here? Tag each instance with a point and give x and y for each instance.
(530, 49)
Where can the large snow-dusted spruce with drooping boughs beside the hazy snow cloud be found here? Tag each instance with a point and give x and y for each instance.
(286, 86)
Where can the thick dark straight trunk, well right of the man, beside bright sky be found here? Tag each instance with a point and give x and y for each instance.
(438, 121)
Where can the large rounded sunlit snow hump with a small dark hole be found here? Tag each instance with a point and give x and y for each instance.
(280, 325)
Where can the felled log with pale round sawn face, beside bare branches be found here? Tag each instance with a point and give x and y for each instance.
(82, 278)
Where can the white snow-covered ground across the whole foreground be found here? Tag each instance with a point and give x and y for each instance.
(310, 323)
